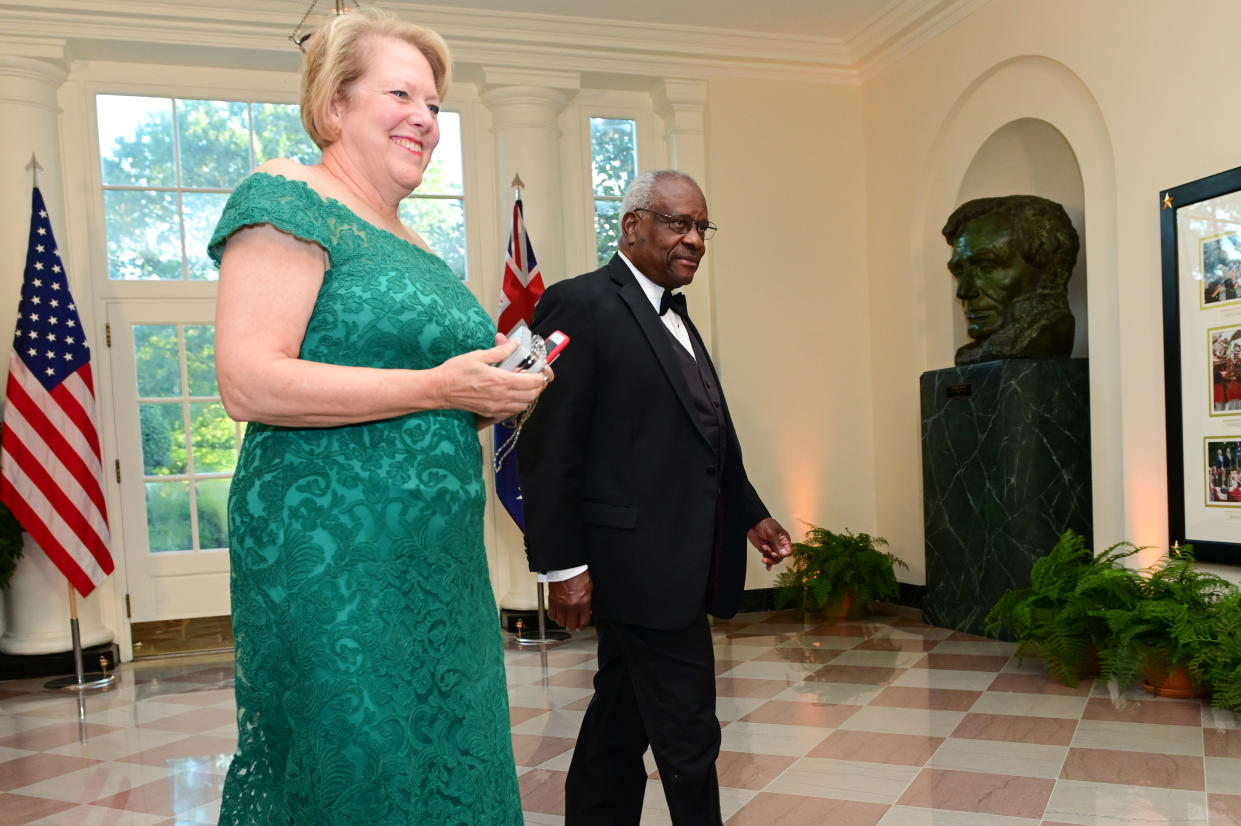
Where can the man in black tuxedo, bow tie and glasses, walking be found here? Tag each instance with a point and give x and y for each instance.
(638, 504)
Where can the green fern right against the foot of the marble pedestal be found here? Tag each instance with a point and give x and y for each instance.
(1062, 616)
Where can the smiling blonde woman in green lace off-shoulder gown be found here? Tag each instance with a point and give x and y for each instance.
(370, 675)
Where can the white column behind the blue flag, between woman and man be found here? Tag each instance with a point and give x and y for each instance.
(526, 107)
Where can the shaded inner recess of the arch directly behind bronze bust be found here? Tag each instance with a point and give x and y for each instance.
(1031, 157)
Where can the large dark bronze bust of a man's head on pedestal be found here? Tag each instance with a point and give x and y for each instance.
(1013, 257)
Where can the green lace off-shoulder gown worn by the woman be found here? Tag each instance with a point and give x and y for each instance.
(370, 672)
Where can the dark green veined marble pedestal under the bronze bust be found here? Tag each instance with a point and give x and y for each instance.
(1006, 471)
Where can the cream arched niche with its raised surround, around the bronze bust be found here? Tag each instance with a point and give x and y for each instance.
(1018, 91)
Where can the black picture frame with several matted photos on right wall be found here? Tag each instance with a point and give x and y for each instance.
(1201, 245)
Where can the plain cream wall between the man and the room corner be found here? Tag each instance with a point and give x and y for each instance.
(791, 296)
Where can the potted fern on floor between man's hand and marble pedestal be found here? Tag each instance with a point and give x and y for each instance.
(845, 575)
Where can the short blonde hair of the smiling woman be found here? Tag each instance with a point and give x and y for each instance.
(337, 55)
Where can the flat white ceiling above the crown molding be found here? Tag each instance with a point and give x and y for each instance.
(840, 20)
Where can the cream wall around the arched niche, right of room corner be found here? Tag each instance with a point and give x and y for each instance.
(1141, 91)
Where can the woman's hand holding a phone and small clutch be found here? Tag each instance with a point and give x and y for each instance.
(472, 383)
